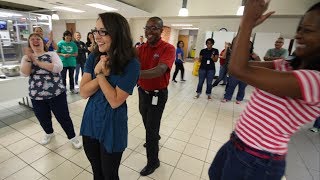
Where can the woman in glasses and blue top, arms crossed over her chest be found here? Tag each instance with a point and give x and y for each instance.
(110, 75)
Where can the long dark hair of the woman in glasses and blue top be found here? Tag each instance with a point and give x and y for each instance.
(121, 49)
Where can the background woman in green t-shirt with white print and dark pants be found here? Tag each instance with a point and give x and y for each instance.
(68, 51)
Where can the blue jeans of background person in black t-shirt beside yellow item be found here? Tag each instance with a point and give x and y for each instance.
(205, 74)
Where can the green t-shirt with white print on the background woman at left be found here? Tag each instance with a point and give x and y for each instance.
(68, 48)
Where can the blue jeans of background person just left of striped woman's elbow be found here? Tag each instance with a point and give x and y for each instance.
(231, 86)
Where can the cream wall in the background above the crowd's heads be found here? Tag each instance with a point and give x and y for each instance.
(285, 26)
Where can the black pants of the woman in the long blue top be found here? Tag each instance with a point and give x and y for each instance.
(105, 166)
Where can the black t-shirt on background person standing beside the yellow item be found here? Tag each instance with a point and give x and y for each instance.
(206, 62)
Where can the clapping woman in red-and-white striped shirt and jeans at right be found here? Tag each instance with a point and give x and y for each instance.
(287, 96)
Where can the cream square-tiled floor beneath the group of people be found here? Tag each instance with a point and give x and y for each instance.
(192, 131)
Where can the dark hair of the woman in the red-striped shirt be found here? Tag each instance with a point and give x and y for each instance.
(314, 63)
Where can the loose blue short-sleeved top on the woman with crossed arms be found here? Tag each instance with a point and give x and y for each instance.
(100, 121)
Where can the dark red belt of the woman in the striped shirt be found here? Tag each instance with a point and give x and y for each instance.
(240, 145)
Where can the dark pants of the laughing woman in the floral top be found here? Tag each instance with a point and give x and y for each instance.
(59, 106)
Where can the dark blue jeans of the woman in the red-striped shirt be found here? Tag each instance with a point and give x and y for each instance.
(232, 164)
